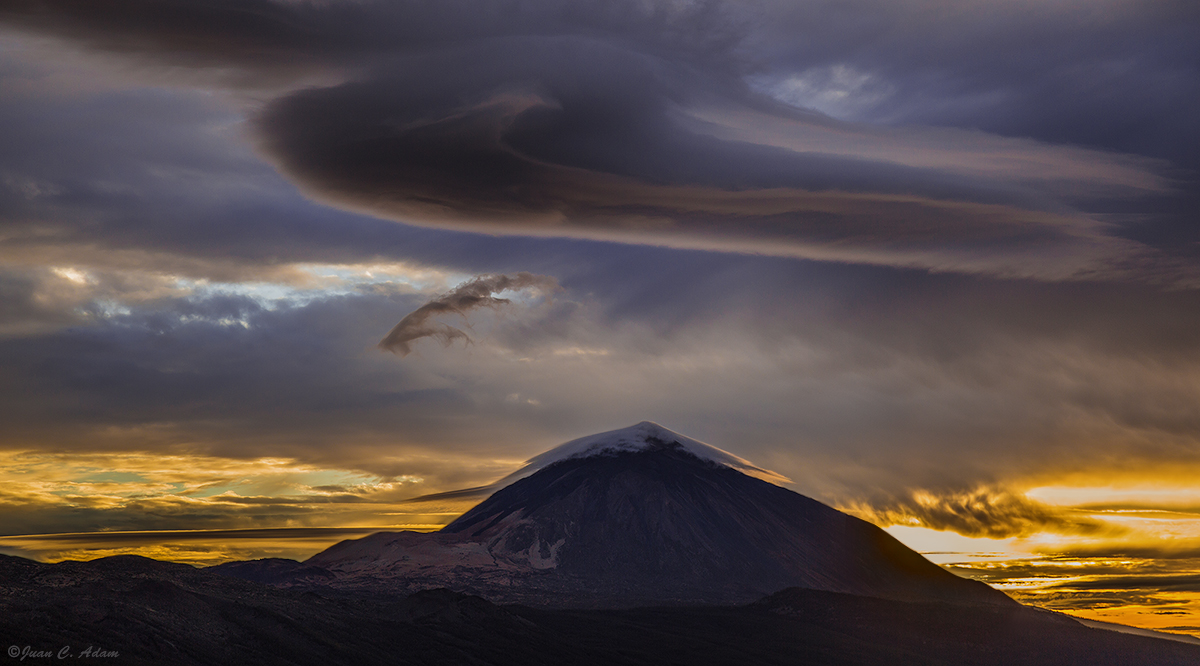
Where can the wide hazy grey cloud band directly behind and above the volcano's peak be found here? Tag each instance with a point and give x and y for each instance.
(926, 381)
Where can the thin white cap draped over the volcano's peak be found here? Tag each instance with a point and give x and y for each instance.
(646, 436)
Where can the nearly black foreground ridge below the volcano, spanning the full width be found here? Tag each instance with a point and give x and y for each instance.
(152, 613)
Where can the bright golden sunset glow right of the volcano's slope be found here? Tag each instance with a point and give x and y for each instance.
(1144, 575)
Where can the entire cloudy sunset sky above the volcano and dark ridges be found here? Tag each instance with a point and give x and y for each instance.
(291, 265)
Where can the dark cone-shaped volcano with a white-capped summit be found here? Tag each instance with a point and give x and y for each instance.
(645, 517)
